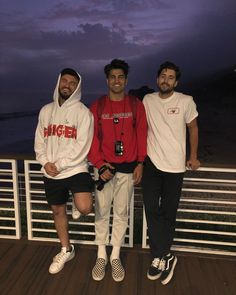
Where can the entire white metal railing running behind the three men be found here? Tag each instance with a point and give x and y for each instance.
(206, 219)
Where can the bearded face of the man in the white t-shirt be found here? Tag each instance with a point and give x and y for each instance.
(166, 82)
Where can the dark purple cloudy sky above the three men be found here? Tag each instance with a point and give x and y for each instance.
(39, 38)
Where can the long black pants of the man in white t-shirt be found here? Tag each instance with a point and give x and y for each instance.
(161, 192)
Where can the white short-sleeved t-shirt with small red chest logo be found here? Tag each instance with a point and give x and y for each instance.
(167, 119)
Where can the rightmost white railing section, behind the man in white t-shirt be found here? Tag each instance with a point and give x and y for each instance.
(206, 218)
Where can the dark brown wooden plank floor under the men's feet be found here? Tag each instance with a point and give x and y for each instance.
(24, 270)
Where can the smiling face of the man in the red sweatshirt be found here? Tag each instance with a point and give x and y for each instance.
(116, 81)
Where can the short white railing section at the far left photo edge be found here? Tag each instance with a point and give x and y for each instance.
(10, 226)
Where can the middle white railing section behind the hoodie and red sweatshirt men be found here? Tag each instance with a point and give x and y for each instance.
(40, 222)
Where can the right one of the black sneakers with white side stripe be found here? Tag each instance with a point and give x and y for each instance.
(167, 265)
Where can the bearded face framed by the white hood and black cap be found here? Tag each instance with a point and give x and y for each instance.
(67, 86)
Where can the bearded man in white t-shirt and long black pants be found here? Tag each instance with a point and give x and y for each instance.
(168, 113)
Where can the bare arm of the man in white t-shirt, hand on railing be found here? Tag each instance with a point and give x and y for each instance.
(193, 162)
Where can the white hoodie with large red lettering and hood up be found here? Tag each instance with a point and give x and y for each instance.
(64, 134)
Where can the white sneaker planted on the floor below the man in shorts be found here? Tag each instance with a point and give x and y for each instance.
(60, 259)
